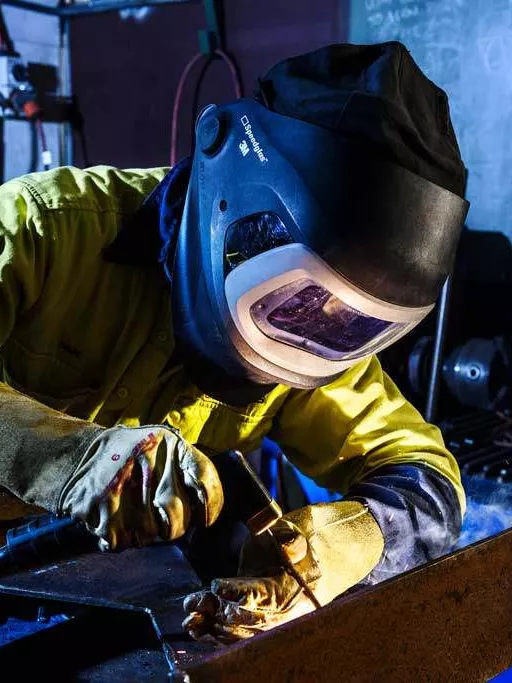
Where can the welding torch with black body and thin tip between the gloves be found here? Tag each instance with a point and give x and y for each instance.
(47, 536)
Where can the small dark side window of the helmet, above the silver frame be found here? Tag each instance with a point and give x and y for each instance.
(251, 236)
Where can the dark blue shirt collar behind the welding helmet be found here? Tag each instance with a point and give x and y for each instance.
(150, 234)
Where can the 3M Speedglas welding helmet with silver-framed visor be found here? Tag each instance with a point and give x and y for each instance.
(306, 247)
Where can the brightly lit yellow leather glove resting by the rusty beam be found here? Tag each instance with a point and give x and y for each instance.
(331, 547)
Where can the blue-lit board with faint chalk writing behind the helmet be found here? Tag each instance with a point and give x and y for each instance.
(465, 46)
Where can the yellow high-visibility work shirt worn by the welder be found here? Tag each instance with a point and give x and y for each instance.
(93, 340)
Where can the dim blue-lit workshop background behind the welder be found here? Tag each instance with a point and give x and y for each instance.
(95, 84)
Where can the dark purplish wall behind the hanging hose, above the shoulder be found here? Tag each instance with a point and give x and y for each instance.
(125, 72)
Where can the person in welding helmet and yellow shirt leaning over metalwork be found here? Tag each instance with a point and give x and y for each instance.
(153, 318)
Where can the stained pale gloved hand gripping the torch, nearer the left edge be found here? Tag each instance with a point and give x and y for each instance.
(138, 485)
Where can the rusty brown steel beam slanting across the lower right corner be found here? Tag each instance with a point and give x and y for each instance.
(450, 620)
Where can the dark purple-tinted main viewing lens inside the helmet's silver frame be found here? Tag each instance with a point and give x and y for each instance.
(313, 314)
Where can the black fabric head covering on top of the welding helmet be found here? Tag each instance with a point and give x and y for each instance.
(378, 94)
